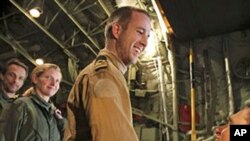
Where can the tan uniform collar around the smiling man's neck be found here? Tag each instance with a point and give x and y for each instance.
(114, 59)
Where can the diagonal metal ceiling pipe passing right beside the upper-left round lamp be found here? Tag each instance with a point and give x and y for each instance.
(45, 31)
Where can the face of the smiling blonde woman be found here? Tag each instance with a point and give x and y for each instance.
(48, 83)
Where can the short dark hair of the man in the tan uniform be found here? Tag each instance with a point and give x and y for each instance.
(121, 15)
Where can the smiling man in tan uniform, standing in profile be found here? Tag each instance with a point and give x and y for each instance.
(99, 106)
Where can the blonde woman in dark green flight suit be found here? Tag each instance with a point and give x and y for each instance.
(34, 117)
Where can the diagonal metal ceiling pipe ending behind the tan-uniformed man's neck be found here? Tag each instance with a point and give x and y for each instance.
(77, 24)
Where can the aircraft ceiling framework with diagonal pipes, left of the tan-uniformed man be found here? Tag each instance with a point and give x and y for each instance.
(68, 32)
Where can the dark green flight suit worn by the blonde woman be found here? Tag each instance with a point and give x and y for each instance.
(32, 119)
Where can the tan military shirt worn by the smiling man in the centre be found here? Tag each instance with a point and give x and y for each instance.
(101, 91)
